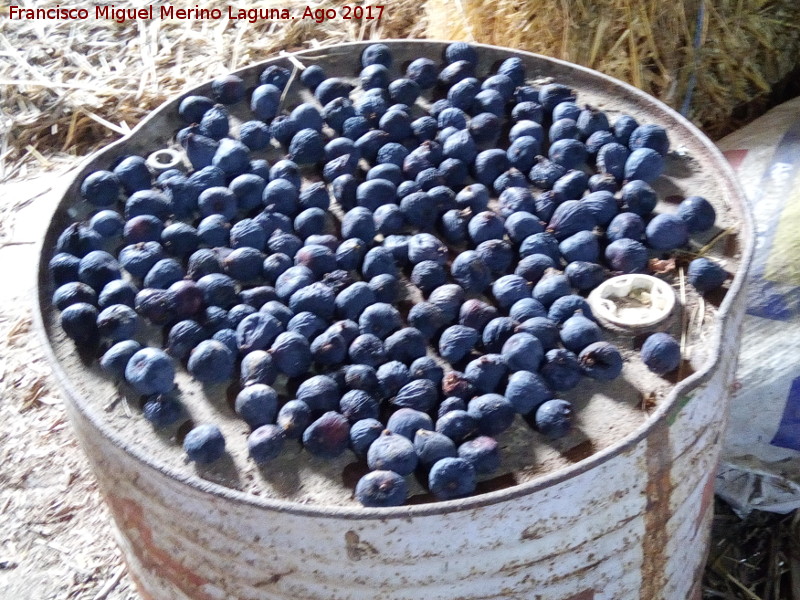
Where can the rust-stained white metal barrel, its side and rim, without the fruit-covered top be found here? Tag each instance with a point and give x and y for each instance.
(630, 521)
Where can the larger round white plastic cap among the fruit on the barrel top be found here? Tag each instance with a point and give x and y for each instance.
(632, 301)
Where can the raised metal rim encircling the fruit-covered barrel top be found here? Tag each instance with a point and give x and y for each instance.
(659, 418)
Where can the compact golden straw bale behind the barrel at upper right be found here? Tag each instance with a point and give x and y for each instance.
(704, 58)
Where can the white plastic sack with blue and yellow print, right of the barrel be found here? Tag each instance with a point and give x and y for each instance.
(760, 465)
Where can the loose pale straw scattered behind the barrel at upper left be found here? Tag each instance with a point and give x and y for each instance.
(67, 87)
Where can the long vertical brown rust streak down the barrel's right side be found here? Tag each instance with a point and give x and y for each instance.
(657, 514)
